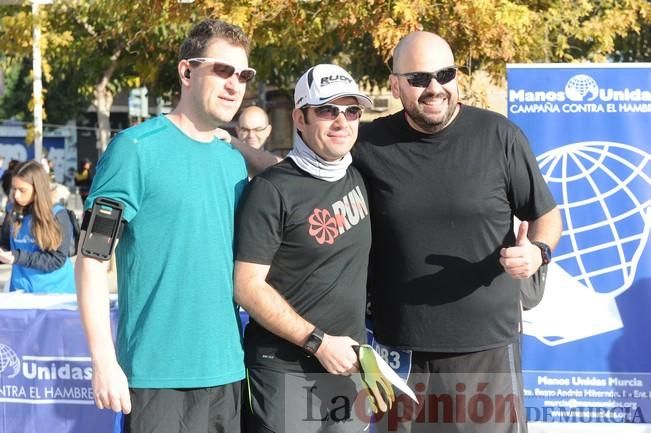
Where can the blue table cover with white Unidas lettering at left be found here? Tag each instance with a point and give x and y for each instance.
(45, 370)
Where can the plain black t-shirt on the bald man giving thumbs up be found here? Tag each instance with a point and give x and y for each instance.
(442, 207)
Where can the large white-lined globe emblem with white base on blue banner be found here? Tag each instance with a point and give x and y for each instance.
(603, 190)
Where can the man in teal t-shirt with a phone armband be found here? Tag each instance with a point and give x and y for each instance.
(179, 361)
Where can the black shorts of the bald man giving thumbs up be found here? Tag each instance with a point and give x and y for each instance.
(479, 392)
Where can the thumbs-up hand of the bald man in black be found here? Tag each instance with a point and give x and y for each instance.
(522, 260)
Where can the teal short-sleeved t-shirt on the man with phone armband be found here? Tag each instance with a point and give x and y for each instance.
(178, 324)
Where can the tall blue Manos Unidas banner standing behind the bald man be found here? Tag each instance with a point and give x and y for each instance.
(586, 350)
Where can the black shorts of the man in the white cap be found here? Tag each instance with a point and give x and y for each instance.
(282, 402)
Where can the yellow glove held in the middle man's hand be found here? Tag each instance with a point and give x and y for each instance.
(380, 390)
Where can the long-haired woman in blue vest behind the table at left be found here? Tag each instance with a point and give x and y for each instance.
(36, 235)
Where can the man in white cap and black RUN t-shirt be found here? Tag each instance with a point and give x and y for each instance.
(303, 237)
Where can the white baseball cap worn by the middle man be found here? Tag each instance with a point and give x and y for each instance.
(325, 82)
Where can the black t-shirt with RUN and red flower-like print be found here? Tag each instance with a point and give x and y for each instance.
(316, 236)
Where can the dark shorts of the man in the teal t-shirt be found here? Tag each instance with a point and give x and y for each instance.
(188, 410)
